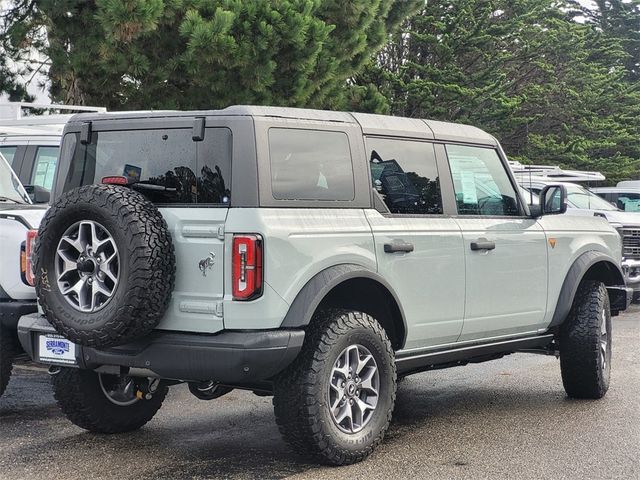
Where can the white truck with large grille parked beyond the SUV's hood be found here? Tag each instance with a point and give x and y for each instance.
(581, 201)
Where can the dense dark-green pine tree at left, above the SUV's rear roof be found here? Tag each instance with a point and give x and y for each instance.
(139, 54)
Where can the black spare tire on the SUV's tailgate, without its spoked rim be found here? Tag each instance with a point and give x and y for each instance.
(146, 263)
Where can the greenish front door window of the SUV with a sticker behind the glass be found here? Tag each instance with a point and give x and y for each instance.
(481, 183)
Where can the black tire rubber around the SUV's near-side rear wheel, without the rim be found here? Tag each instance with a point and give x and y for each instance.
(300, 391)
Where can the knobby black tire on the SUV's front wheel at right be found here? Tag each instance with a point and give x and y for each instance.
(581, 363)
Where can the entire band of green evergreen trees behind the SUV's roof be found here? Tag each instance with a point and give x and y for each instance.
(557, 81)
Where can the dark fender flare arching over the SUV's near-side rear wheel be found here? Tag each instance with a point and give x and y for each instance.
(306, 302)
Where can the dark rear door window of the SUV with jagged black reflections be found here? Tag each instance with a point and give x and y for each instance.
(405, 174)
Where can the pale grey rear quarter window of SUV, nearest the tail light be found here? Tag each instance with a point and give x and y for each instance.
(310, 165)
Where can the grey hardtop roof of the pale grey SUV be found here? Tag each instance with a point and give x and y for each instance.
(371, 124)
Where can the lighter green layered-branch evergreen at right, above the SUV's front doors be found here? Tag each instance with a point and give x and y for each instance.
(554, 91)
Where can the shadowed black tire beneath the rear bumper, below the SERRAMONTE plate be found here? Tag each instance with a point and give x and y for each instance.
(82, 400)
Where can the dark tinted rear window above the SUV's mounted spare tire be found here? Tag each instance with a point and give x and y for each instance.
(165, 164)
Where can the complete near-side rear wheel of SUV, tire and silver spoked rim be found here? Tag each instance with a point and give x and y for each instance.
(335, 401)
